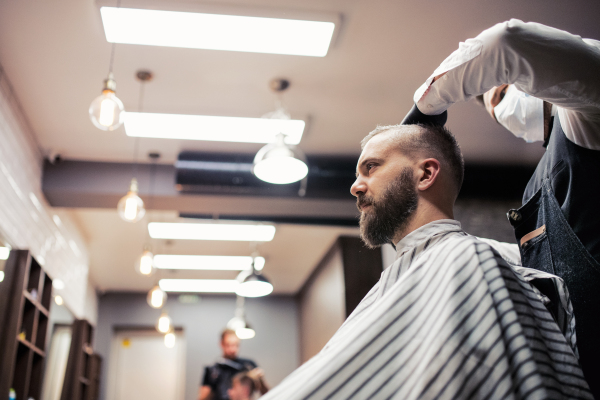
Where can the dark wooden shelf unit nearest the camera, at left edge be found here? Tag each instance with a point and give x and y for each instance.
(25, 298)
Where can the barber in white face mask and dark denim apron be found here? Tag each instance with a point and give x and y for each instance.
(543, 84)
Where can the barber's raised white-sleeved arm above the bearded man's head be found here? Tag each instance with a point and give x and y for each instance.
(544, 62)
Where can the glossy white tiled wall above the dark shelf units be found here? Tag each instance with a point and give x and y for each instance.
(26, 219)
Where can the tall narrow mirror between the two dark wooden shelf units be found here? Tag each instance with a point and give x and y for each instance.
(61, 320)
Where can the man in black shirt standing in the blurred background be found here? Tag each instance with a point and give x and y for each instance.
(218, 377)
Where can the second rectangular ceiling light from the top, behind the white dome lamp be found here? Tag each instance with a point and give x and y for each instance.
(220, 129)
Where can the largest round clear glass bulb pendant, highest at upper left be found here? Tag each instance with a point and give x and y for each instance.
(107, 111)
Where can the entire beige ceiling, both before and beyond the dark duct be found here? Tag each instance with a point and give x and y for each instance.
(56, 57)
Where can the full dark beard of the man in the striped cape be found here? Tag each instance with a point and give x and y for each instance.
(389, 215)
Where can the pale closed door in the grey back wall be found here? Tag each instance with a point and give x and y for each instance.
(142, 367)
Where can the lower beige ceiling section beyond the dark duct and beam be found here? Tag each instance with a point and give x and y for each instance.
(114, 244)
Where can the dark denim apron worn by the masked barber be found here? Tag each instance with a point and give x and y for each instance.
(559, 225)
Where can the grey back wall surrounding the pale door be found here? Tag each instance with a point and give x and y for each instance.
(274, 318)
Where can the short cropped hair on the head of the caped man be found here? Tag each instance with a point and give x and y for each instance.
(431, 141)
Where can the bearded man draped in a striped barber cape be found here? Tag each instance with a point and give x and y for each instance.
(450, 318)
